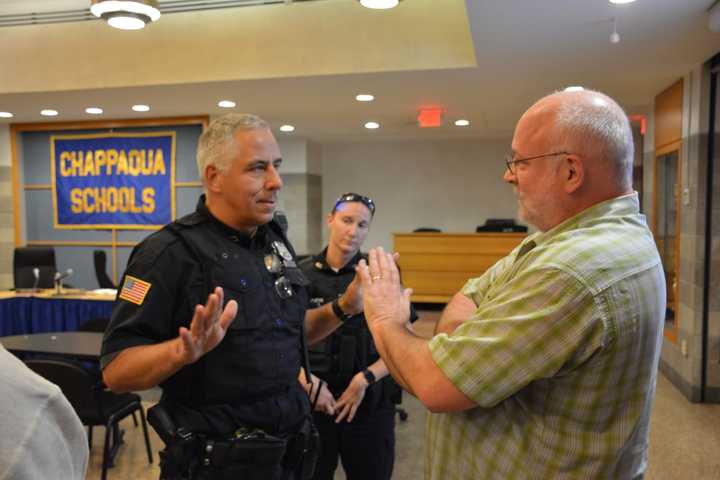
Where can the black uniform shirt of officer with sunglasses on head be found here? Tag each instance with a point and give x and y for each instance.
(350, 349)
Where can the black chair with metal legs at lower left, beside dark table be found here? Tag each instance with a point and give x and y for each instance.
(93, 404)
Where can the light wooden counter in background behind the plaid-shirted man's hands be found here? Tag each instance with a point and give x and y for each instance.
(437, 265)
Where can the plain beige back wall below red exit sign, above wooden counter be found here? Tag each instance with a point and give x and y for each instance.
(453, 185)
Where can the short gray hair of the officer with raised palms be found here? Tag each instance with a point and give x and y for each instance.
(217, 143)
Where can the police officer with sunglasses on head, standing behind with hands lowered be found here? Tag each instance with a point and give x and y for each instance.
(354, 395)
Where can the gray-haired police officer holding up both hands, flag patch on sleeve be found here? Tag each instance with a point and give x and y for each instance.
(212, 308)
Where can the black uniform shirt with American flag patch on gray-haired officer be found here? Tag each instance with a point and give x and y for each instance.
(250, 377)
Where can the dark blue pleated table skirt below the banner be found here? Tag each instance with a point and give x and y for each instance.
(22, 315)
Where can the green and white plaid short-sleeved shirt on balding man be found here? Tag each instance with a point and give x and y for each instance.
(561, 356)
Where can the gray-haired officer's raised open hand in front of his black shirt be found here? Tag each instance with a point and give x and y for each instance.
(207, 328)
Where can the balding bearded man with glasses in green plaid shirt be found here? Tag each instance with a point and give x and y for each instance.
(545, 366)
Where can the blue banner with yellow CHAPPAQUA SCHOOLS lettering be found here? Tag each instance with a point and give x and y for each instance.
(113, 180)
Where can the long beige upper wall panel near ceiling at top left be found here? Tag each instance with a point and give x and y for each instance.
(308, 39)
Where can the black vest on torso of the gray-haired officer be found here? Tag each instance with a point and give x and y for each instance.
(260, 354)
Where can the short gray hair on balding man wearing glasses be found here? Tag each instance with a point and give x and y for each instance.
(594, 124)
